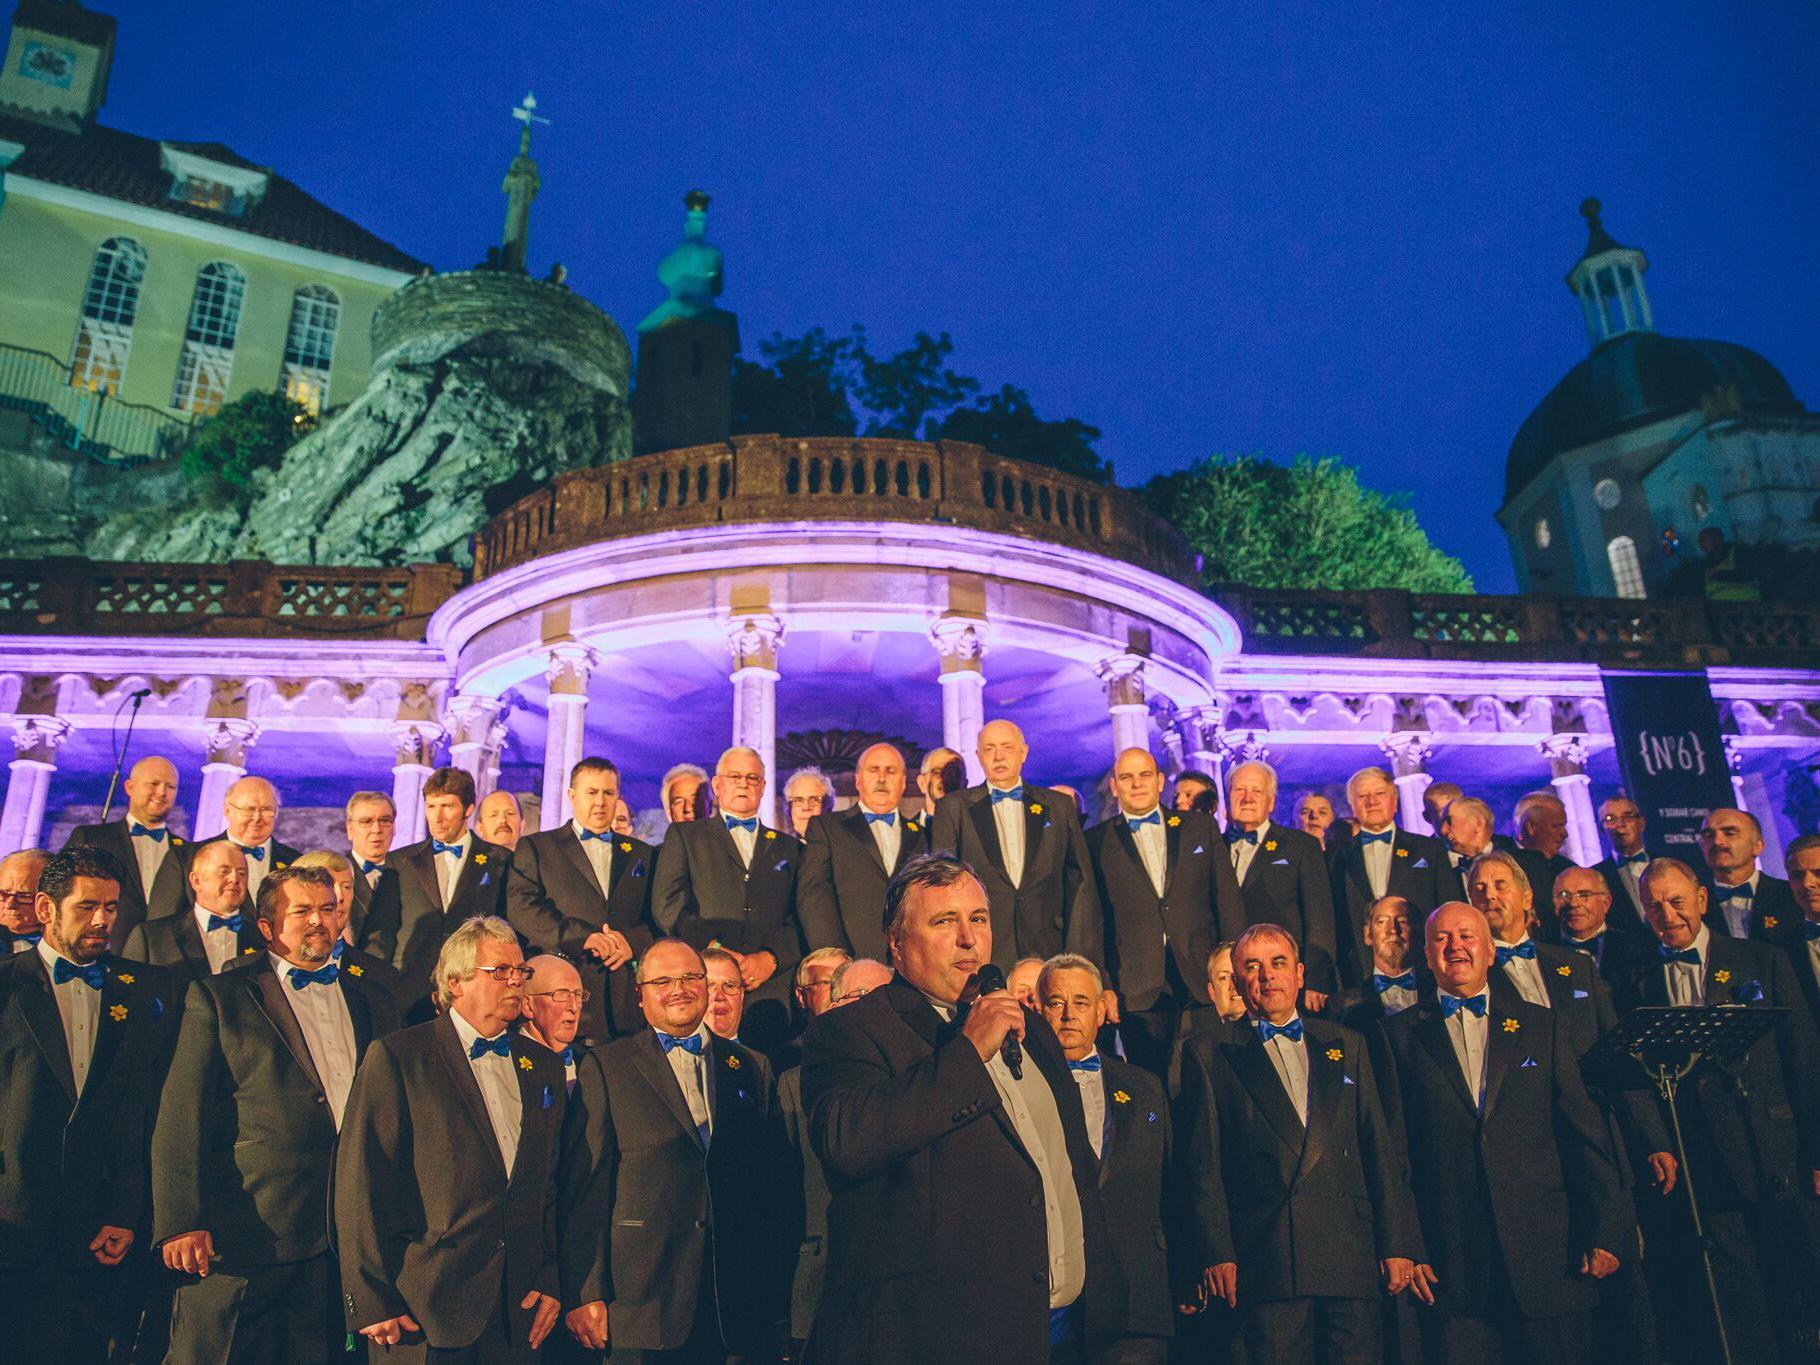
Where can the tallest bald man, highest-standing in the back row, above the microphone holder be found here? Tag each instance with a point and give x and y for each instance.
(1026, 844)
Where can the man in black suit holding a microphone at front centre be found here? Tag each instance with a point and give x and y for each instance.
(987, 1180)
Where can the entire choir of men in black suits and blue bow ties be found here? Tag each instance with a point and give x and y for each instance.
(1246, 1091)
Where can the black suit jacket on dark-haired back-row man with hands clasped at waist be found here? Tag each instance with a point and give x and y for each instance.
(554, 902)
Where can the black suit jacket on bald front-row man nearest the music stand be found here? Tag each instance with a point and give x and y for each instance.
(1530, 1182)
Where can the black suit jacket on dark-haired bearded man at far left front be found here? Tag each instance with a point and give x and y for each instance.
(72, 1166)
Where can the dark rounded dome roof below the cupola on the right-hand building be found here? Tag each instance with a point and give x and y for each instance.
(1637, 379)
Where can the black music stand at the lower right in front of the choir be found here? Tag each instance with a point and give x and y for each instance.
(1670, 1044)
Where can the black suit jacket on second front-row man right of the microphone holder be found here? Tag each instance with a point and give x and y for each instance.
(1304, 1211)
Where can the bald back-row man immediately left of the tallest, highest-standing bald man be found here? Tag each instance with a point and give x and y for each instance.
(849, 856)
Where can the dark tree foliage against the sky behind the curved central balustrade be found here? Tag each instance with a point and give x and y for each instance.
(834, 387)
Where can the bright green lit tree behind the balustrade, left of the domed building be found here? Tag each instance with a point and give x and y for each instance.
(1306, 525)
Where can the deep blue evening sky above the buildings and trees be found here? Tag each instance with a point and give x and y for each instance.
(1235, 227)
